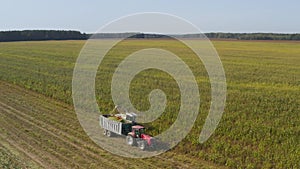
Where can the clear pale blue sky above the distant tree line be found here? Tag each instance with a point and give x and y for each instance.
(88, 16)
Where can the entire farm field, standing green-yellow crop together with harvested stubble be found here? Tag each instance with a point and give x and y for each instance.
(259, 128)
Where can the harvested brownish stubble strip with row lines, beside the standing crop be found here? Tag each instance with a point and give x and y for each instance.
(48, 133)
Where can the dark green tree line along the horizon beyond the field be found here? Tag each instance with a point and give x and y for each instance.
(31, 35)
